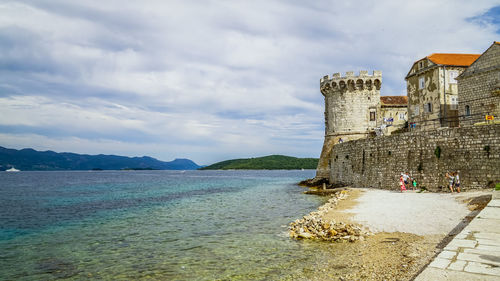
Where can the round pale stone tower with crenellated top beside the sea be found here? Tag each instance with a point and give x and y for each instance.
(352, 106)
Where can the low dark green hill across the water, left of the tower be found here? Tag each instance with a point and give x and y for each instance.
(273, 162)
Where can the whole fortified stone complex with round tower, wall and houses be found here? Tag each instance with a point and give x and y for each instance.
(441, 88)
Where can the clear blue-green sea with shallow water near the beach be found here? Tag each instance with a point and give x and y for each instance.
(156, 225)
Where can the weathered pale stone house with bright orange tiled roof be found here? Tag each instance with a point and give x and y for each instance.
(432, 90)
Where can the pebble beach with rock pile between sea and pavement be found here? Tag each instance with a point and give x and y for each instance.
(394, 235)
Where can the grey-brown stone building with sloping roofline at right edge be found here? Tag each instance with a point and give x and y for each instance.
(479, 88)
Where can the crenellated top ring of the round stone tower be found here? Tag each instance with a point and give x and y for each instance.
(351, 82)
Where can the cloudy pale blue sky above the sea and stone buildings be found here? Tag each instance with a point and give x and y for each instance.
(207, 80)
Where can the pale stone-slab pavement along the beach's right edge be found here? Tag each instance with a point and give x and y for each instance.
(474, 254)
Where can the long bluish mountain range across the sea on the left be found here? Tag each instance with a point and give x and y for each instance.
(31, 160)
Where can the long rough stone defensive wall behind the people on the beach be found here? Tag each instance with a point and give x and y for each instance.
(427, 156)
